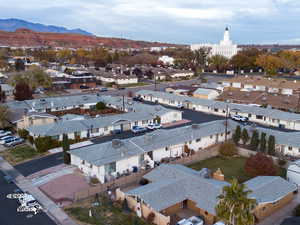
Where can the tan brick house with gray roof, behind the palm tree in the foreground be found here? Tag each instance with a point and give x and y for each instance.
(173, 188)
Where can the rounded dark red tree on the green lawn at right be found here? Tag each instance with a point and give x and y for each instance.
(260, 165)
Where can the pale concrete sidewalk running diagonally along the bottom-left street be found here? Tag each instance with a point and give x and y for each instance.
(56, 213)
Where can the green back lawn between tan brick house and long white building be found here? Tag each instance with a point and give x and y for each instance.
(231, 167)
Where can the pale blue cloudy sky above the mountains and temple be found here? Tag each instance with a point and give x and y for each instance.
(172, 21)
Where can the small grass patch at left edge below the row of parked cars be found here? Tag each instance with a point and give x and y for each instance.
(20, 153)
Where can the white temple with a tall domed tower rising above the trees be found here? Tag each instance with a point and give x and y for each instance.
(225, 47)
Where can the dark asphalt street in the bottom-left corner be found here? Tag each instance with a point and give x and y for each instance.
(8, 209)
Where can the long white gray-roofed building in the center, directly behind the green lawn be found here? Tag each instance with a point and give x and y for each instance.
(111, 159)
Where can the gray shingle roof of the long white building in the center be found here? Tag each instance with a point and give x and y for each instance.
(148, 142)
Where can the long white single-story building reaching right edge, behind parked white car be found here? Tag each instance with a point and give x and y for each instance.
(266, 116)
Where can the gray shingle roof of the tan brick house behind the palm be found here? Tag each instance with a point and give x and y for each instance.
(171, 184)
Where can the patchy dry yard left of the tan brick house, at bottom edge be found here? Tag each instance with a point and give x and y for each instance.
(106, 213)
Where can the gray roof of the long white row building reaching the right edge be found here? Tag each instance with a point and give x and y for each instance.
(272, 113)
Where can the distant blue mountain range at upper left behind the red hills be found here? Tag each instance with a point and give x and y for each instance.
(13, 24)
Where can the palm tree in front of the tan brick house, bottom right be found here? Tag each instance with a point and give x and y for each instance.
(234, 207)
